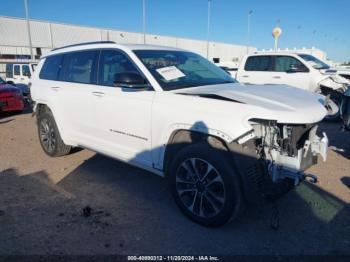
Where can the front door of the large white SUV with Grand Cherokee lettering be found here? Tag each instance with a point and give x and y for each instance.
(122, 115)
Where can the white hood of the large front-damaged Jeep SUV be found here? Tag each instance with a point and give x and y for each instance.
(277, 102)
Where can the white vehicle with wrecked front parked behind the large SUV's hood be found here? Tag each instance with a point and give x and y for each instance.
(303, 71)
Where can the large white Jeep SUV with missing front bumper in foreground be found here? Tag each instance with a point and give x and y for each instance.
(174, 113)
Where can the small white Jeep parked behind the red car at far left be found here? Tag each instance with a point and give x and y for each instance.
(19, 73)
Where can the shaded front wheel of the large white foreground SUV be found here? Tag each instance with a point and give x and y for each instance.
(204, 185)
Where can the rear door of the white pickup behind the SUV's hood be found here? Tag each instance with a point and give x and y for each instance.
(257, 70)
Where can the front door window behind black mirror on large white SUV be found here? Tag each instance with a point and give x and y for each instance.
(111, 63)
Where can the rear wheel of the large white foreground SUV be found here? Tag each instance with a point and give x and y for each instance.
(49, 136)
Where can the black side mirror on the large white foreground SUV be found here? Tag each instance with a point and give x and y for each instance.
(130, 80)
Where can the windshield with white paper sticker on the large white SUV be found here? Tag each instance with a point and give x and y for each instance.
(180, 69)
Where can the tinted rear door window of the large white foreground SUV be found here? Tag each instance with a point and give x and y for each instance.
(79, 67)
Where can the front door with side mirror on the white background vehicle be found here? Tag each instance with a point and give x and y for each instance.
(282, 75)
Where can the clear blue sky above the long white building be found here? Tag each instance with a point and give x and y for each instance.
(322, 23)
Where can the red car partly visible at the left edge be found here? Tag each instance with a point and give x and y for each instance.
(11, 98)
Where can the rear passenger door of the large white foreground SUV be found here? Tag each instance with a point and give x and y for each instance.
(77, 79)
